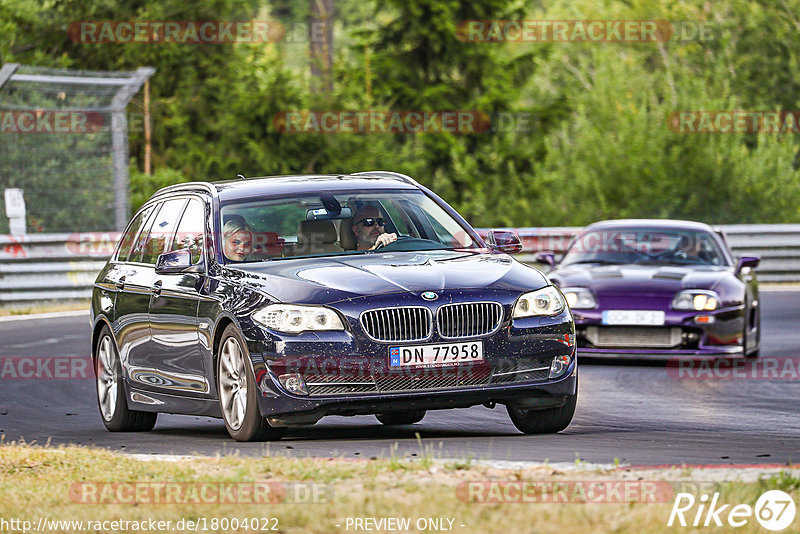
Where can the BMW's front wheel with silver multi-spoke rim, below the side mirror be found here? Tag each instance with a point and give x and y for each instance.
(238, 394)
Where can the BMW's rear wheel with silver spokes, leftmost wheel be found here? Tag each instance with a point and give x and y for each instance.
(111, 400)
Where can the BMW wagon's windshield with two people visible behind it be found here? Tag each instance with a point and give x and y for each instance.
(328, 224)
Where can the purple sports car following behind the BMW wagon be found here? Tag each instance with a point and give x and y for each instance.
(658, 288)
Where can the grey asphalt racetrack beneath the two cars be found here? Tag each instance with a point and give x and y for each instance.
(637, 412)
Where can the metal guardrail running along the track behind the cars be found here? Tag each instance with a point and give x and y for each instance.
(43, 267)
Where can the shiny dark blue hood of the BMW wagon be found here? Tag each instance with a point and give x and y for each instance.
(331, 279)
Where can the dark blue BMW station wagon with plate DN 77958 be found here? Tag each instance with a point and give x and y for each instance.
(272, 302)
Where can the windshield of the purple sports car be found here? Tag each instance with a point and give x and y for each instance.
(645, 246)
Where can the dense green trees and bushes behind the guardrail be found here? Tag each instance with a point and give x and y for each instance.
(596, 143)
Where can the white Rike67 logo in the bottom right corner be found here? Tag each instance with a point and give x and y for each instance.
(774, 510)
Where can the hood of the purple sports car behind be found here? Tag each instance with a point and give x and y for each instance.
(652, 279)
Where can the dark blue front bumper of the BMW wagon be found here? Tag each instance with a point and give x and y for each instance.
(349, 374)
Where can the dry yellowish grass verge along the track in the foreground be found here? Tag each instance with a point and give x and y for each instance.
(327, 495)
